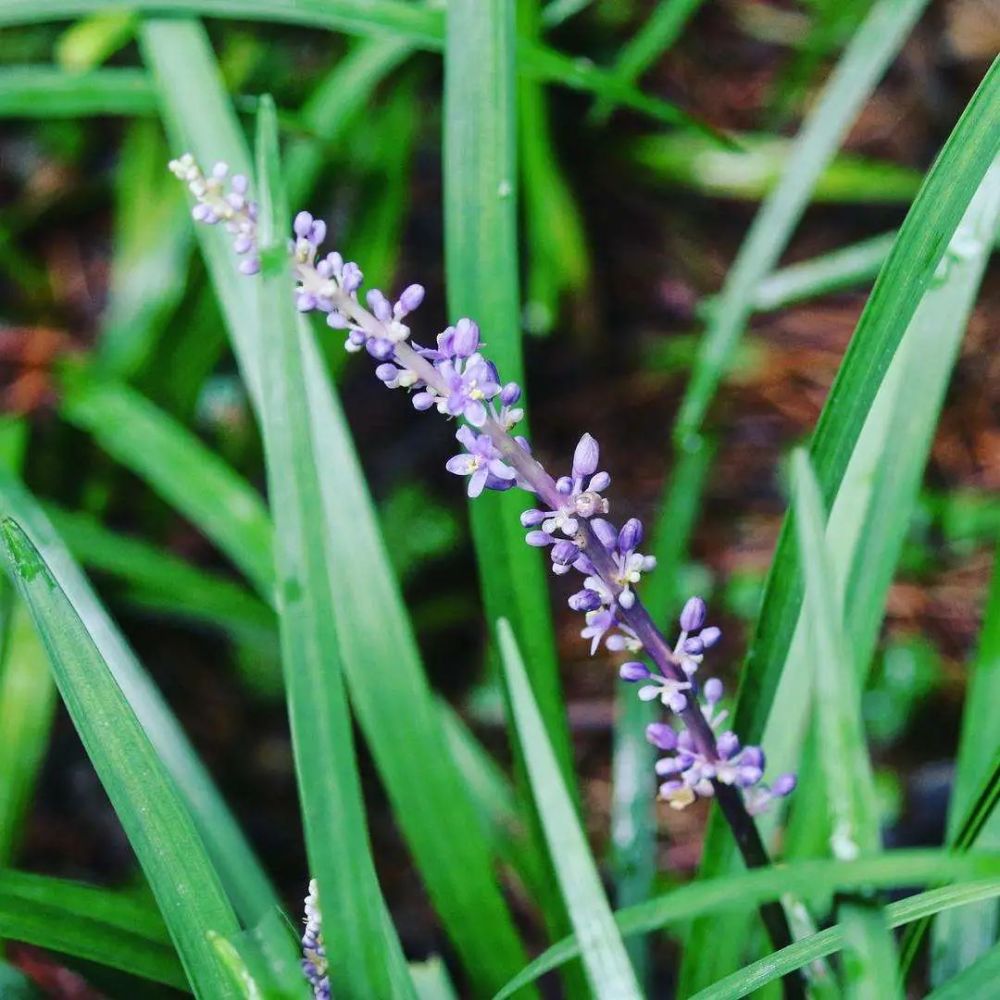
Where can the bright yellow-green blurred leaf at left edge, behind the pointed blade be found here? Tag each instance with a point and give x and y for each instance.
(27, 701)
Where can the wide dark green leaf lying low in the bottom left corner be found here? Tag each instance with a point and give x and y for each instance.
(88, 922)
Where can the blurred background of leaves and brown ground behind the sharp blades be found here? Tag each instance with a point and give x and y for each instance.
(627, 229)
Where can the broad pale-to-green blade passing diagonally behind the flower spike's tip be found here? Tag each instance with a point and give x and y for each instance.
(399, 720)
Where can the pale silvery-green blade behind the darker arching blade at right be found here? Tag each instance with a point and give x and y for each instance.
(903, 416)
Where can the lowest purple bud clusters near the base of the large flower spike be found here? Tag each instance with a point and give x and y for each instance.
(690, 773)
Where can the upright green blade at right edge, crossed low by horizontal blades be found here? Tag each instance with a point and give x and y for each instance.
(961, 937)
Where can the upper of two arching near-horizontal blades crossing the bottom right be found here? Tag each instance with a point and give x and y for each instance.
(802, 878)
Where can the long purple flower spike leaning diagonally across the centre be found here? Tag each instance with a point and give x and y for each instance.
(567, 516)
